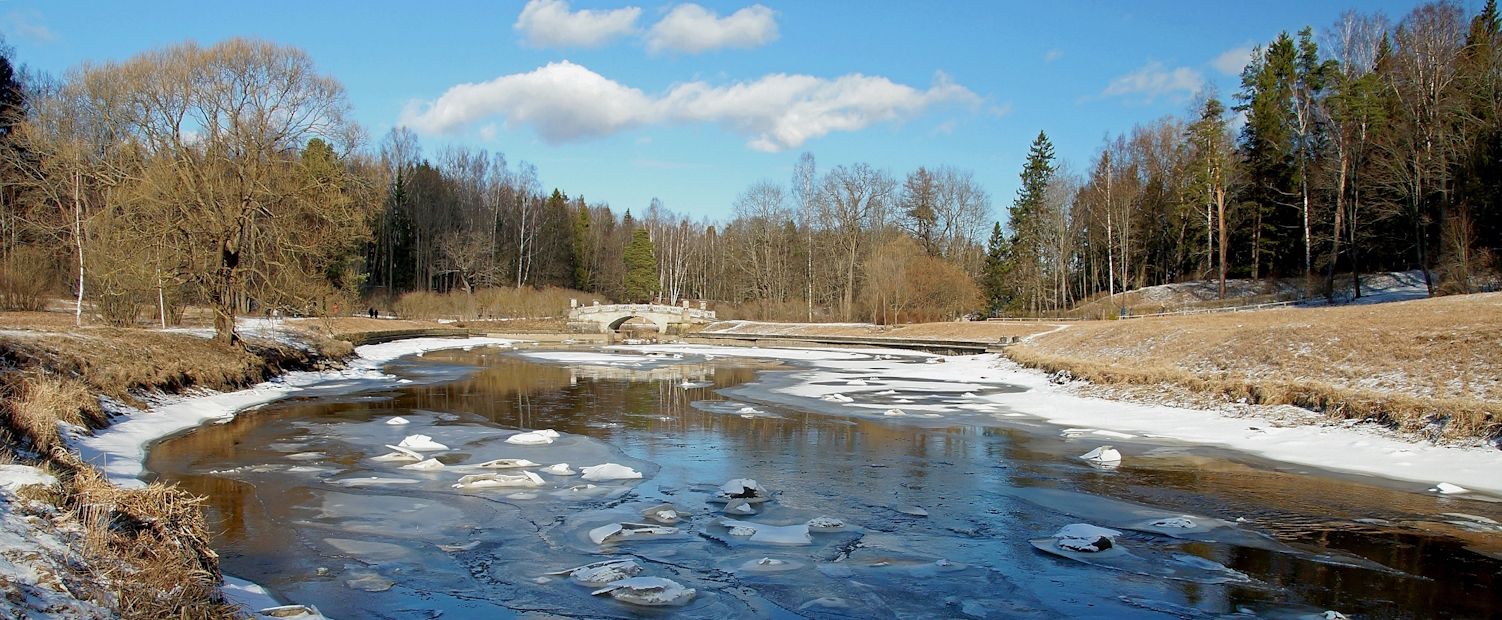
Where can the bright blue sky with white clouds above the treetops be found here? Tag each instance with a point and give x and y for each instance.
(693, 103)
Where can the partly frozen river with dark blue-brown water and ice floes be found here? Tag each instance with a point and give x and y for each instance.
(944, 516)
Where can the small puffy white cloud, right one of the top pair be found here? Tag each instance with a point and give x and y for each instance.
(695, 29)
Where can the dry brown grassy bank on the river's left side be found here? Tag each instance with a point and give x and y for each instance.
(145, 553)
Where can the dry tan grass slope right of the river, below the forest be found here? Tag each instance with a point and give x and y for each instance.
(1426, 364)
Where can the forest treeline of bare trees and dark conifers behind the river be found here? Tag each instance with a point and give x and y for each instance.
(232, 176)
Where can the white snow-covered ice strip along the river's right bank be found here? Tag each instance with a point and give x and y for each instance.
(1342, 448)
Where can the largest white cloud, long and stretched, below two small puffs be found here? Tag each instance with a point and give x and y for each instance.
(567, 103)
